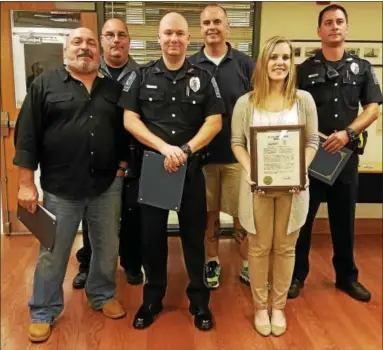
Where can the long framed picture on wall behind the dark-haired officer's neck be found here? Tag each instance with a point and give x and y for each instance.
(371, 51)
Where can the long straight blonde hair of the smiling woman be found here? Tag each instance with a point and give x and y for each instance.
(261, 81)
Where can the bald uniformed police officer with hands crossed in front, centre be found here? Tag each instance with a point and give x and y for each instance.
(174, 108)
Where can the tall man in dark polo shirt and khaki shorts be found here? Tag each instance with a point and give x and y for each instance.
(232, 69)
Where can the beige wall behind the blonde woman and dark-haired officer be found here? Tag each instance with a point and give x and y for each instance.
(298, 20)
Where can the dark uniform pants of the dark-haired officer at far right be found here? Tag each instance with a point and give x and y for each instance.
(341, 199)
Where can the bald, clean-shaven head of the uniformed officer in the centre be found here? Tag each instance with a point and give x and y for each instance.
(173, 35)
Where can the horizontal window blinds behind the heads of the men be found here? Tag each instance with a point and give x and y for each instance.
(143, 18)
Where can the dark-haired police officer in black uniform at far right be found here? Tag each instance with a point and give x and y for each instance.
(338, 81)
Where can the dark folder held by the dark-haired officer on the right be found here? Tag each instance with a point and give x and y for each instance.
(326, 166)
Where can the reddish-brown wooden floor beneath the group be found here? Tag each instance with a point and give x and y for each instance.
(322, 318)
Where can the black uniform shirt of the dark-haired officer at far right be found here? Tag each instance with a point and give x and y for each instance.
(337, 100)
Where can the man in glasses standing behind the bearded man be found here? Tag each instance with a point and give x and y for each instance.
(117, 64)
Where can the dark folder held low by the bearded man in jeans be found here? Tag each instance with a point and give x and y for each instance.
(42, 224)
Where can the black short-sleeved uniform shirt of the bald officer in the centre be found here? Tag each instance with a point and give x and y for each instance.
(173, 109)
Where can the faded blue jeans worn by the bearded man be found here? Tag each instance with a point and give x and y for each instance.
(103, 214)
